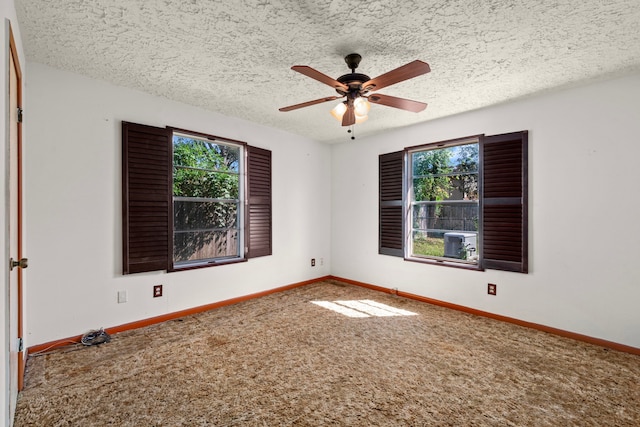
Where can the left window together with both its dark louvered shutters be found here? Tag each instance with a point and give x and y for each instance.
(192, 200)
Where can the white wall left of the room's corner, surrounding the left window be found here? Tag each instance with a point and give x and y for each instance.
(73, 190)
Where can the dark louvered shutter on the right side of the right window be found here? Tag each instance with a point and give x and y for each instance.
(504, 202)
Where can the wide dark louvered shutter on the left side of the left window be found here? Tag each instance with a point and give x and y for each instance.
(146, 200)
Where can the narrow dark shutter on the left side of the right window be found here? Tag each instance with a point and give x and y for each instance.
(390, 236)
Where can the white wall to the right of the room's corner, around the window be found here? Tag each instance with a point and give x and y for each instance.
(584, 212)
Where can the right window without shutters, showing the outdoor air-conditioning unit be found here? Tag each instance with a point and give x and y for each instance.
(444, 202)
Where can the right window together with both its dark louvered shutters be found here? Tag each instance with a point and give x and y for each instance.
(459, 203)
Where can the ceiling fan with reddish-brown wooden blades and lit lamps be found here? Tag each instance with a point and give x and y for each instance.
(355, 87)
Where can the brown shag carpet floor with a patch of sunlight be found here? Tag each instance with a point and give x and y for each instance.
(332, 354)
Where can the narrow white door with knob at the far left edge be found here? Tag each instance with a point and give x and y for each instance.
(16, 264)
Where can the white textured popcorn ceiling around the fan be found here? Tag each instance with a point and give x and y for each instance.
(234, 56)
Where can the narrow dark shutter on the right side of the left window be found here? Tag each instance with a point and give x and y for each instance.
(258, 211)
